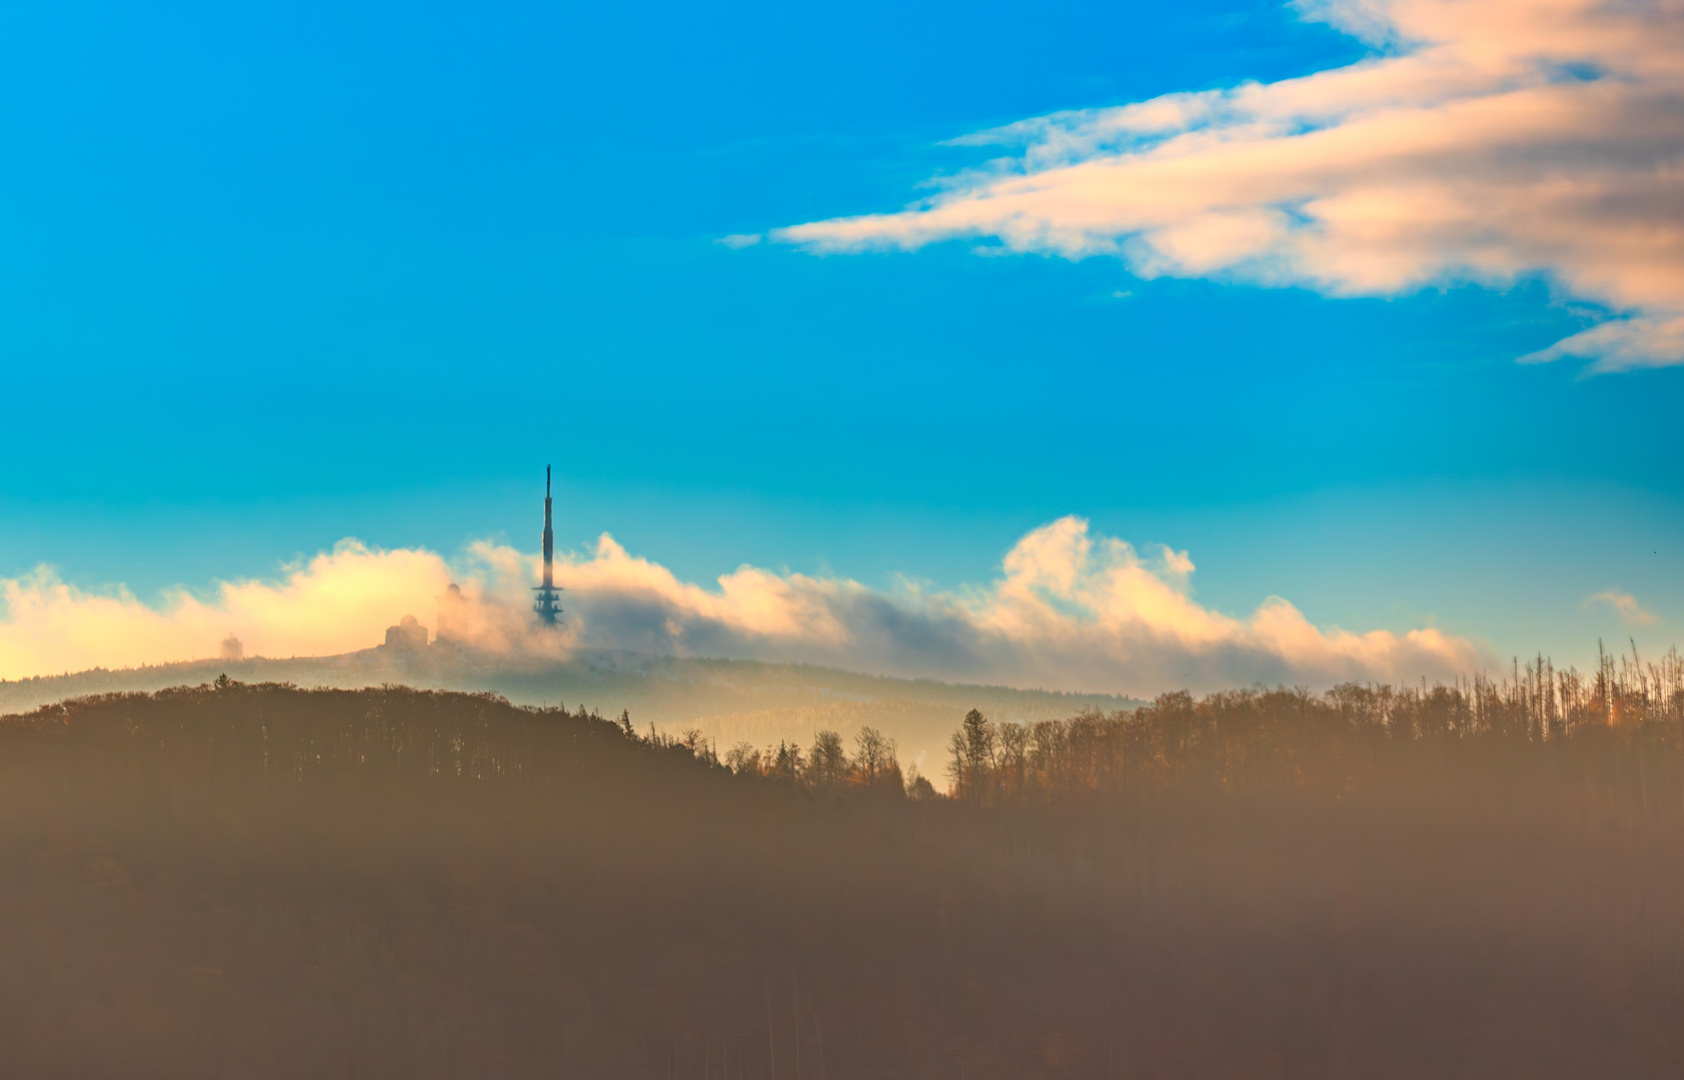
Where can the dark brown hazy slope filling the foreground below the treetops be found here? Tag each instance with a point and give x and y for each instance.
(265, 882)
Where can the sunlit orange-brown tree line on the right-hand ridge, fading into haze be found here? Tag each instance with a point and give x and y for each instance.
(1623, 725)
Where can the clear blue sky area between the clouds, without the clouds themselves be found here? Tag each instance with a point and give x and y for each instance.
(302, 272)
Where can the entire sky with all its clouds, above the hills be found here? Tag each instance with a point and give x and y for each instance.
(1063, 341)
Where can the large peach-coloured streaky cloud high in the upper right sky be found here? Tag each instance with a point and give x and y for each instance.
(1486, 141)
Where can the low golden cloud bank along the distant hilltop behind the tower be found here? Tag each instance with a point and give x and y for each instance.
(1068, 611)
